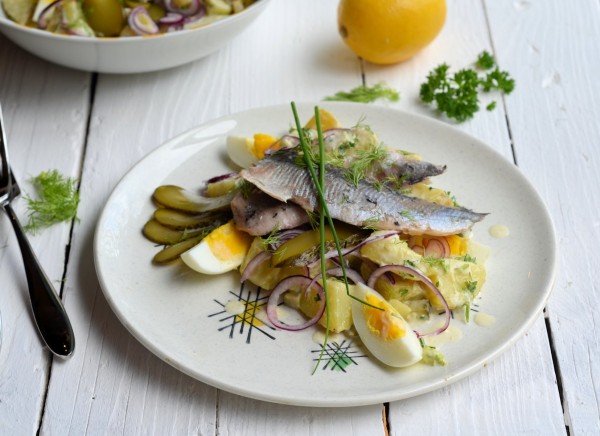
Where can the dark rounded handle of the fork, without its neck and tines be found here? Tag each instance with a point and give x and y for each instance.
(49, 314)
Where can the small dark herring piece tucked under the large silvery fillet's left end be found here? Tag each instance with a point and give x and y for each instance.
(259, 214)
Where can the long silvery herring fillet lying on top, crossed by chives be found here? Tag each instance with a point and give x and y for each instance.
(364, 205)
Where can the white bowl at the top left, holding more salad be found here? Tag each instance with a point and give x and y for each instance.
(135, 54)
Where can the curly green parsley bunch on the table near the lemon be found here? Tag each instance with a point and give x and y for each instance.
(457, 95)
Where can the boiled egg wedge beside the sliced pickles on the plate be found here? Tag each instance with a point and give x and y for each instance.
(220, 251)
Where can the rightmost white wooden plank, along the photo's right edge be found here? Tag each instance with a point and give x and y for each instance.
(552, 49)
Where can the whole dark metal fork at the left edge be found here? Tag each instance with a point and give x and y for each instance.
(49, 314)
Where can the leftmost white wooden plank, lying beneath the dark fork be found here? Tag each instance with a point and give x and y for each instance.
(45, 111)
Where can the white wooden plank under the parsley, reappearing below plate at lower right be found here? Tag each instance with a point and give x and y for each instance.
(521, 373)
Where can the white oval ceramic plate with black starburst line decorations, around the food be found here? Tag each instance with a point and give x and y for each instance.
(179, 315)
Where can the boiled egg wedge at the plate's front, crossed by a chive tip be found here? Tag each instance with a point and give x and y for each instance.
(383, 330)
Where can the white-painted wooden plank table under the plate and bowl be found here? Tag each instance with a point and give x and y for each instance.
(95, 127)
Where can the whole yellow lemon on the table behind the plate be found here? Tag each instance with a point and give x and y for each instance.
(389, 31)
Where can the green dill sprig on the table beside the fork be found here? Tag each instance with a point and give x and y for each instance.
(57, 201)
